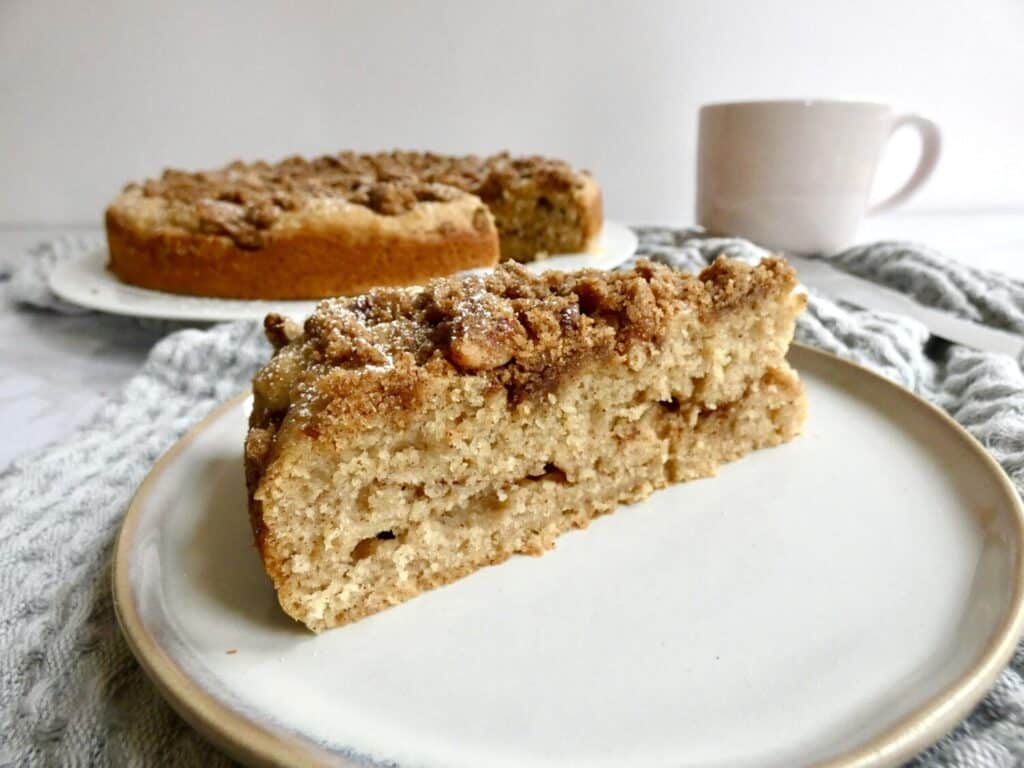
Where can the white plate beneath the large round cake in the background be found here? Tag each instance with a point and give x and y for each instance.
(87, 282)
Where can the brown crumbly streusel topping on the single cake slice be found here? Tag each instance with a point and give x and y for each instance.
(526, 331)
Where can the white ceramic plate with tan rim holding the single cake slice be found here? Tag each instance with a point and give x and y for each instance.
(844, 600)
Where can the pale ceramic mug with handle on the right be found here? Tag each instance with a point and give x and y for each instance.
(796, 176)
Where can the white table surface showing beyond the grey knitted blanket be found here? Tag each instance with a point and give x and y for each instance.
(54, 375)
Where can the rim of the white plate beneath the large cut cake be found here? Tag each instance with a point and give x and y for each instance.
(212, 314)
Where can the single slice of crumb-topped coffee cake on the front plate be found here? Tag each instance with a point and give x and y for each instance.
(405, 439)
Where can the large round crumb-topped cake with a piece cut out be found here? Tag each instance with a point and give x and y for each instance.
(340, 225)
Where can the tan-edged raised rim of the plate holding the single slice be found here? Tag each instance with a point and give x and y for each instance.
(266, 745)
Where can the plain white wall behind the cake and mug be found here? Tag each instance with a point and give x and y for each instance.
(94, 95)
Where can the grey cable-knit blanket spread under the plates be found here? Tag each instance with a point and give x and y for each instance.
(71, 693)
